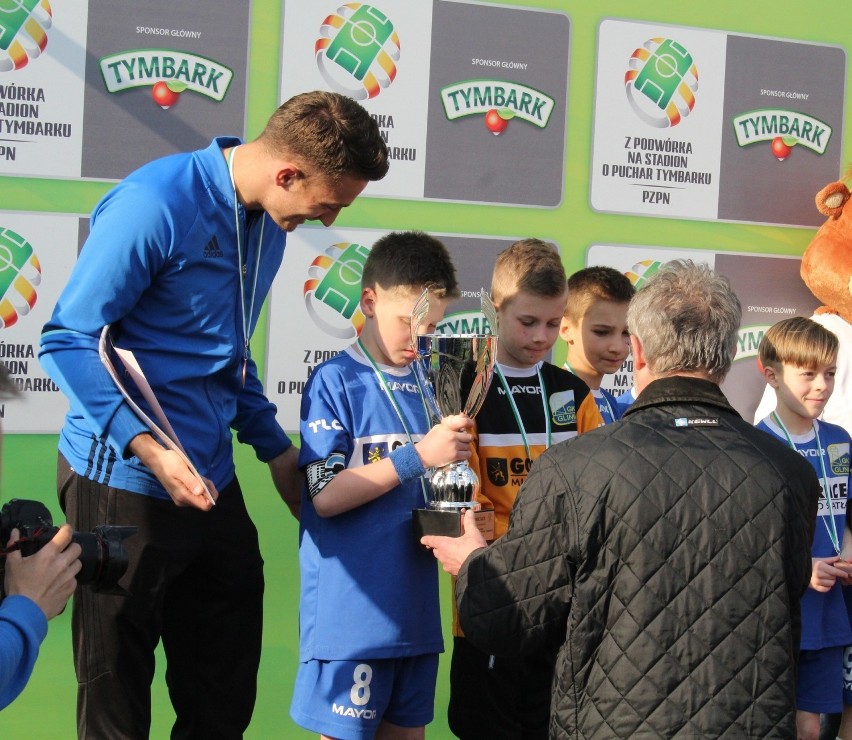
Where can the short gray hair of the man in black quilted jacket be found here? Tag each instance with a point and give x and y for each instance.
(687, 318)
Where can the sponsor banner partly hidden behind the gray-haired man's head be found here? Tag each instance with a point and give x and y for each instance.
(769, 288)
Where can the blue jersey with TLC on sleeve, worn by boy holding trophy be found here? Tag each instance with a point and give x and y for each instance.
(368, 589)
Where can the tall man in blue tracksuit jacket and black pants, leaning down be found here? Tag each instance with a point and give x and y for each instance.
(178, 262)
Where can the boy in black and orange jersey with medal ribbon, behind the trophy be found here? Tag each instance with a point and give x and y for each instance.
(531, 405)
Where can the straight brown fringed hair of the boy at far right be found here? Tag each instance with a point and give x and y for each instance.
(798, 341)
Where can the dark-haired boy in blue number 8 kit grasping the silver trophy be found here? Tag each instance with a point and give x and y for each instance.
(370, 630)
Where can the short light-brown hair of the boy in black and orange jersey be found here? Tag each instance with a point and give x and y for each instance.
(529, 265)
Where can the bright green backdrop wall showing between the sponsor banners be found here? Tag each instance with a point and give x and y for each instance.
(46, 708)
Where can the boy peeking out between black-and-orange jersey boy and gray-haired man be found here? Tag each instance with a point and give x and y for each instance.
(594, 328)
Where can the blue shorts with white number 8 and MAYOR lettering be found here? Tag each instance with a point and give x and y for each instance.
(348, 699)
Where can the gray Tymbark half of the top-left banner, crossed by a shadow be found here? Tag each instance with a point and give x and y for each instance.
(161, 77)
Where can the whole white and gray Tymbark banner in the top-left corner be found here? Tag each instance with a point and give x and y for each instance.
(96, 89)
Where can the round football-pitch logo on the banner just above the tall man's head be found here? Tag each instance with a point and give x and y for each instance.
(357, 50)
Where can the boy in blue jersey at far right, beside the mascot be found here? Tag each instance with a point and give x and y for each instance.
(799, 360)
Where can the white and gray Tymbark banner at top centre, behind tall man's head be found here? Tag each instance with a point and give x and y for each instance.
(469, 111)
